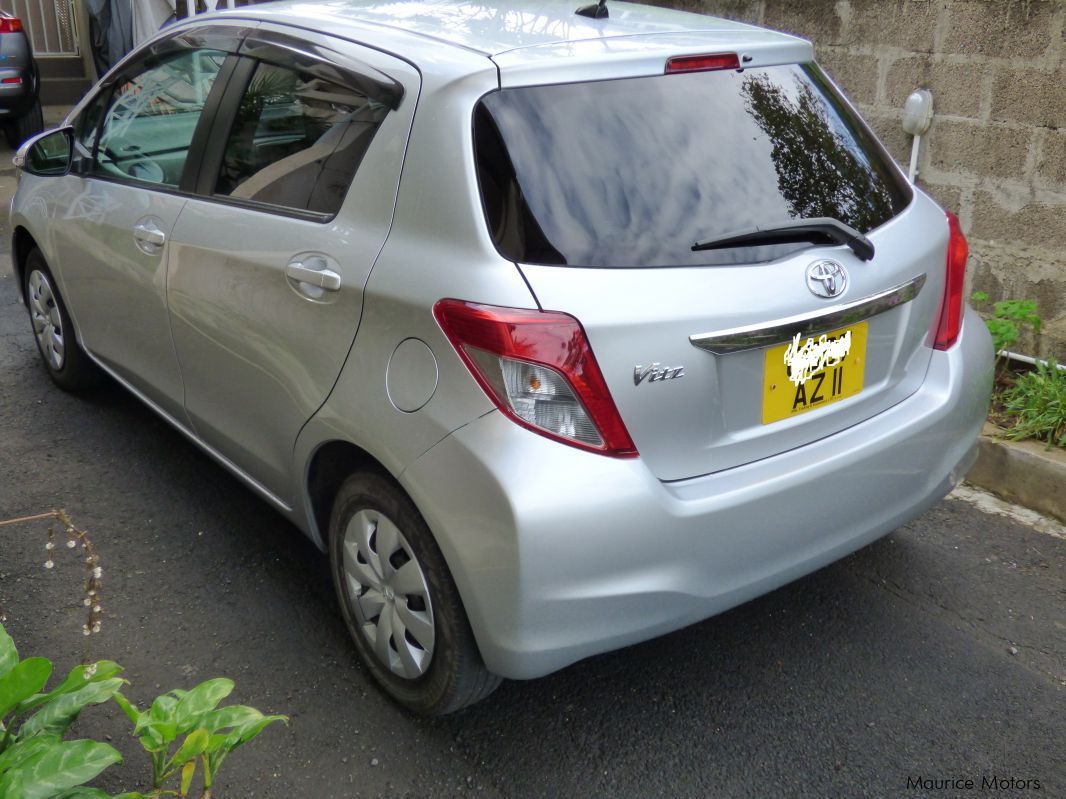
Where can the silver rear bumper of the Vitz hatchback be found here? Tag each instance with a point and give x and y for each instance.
(561, 555)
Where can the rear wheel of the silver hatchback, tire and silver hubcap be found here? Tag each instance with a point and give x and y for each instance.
(400, 602)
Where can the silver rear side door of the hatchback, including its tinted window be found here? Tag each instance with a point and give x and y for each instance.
(269, 265)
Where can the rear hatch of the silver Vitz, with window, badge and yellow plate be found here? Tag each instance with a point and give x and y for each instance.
(600, 191)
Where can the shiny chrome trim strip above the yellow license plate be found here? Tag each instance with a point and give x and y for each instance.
(754, 337)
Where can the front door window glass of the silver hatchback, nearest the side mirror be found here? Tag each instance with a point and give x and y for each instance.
(150, 125)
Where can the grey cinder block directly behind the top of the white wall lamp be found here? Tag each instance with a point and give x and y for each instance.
(956, 88)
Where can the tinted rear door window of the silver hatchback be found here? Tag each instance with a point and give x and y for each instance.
(297, 141)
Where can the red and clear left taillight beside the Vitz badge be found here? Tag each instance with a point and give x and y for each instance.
(540, 371)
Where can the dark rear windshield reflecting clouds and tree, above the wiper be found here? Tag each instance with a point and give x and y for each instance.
(633, 173)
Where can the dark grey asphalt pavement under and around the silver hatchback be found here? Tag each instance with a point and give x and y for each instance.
(939, 654)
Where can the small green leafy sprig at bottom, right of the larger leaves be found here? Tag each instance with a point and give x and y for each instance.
(207, 733)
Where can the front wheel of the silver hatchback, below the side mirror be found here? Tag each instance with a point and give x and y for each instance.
(72, 370)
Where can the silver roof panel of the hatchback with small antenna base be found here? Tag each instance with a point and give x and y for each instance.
(506, 26)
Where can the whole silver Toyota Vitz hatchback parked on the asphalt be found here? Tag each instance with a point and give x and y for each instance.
(560, 330)
